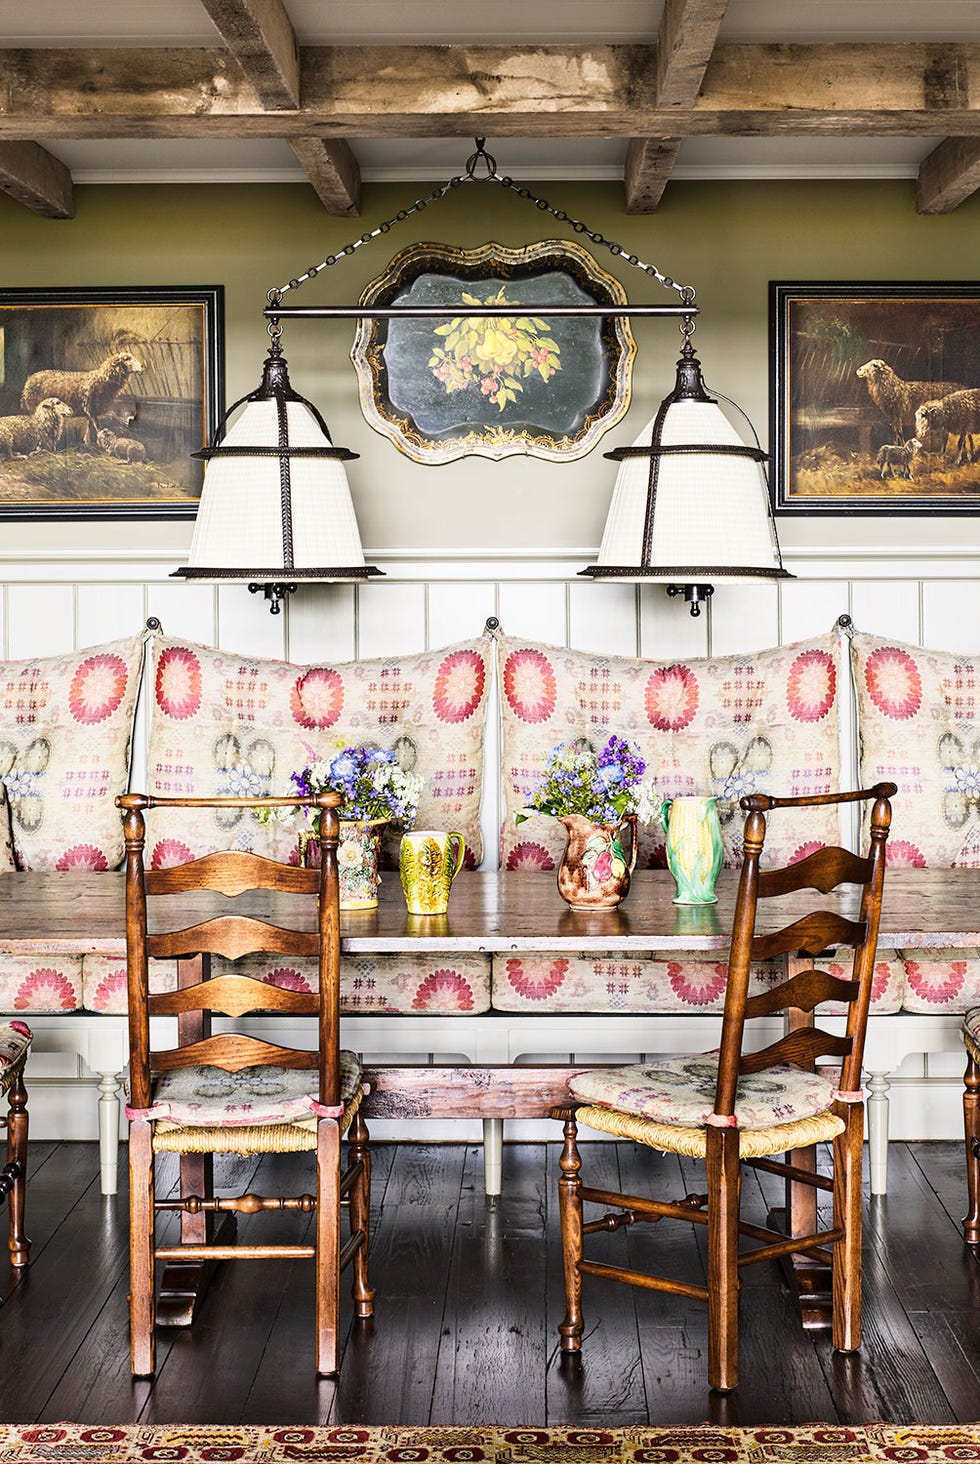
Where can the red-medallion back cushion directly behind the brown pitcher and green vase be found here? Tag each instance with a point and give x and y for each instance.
(762, 722)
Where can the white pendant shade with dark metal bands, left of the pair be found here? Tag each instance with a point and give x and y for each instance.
(276, 504)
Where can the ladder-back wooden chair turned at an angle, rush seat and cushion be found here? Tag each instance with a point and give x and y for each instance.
(739, 1108)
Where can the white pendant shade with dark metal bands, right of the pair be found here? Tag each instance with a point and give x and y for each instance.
(691, 503)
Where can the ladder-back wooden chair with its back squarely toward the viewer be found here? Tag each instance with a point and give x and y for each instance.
(231, 1093)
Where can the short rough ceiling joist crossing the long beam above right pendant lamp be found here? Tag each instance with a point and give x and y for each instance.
(685, 45)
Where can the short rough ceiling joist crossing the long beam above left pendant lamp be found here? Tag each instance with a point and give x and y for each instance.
(261, 39)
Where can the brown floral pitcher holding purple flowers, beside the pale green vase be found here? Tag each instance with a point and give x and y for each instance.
(598, 797)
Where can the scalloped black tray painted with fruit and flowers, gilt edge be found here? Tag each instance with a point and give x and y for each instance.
(554, 411)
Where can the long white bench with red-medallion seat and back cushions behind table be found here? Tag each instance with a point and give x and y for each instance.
(220, 724)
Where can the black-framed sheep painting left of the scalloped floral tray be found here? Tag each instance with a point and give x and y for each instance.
(105, 395)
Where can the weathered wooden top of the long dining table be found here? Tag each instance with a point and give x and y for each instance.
(83, 913)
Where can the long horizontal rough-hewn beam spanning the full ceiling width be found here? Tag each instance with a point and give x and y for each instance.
(500, 91)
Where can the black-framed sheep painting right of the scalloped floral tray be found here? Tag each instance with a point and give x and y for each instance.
(875, 397)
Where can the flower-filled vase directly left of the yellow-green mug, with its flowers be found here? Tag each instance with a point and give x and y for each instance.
(377, 791)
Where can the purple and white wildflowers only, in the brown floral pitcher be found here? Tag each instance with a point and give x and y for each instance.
(603, 787)
